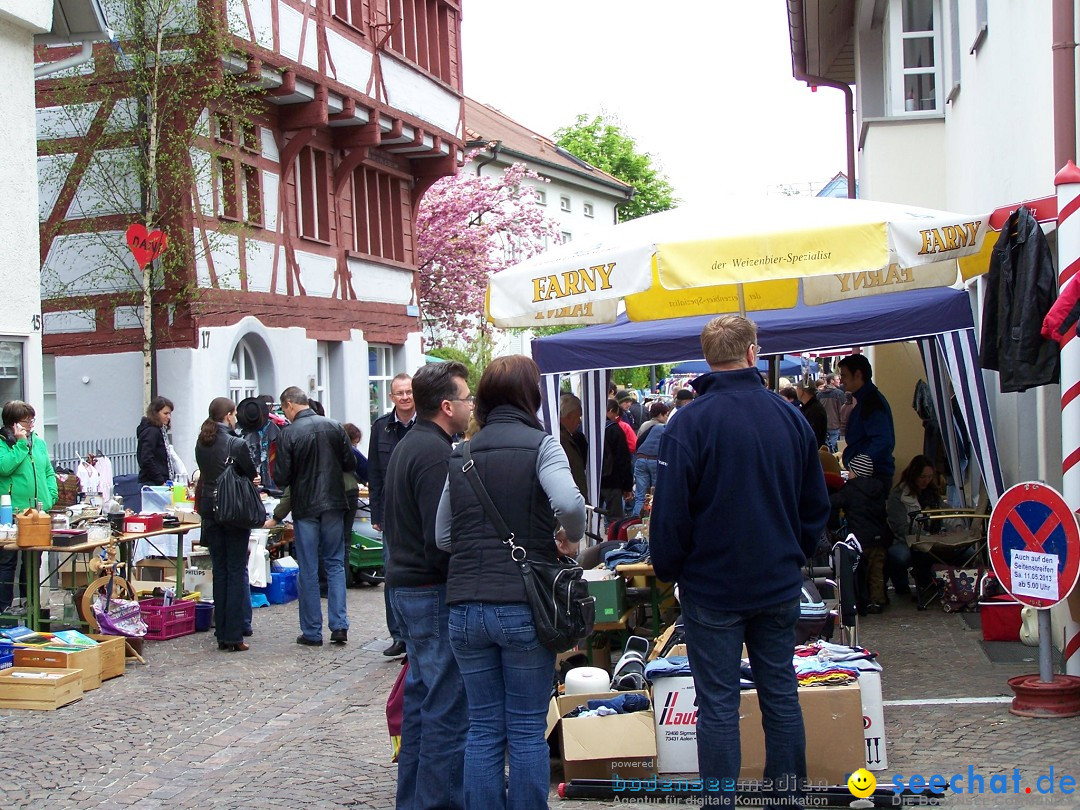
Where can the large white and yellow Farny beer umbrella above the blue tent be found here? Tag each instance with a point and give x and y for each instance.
(740, 258)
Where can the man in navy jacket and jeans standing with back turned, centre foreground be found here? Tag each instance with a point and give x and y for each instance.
(740, 503)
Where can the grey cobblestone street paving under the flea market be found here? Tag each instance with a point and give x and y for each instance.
(285, 726)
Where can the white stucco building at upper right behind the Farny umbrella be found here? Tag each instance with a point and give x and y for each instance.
(954, 111)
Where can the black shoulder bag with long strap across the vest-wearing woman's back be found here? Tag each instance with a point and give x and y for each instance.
(563, 612)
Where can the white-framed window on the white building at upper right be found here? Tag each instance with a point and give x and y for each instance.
(914, 57)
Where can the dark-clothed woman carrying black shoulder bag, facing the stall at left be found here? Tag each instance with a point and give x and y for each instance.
(228, 546)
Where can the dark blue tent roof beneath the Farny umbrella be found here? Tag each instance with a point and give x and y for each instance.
(879, 319)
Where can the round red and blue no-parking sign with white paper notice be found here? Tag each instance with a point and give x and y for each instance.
(1035, 545)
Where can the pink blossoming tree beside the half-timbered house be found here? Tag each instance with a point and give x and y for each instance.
(468, 227)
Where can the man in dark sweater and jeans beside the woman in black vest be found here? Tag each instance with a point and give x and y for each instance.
(436, 717)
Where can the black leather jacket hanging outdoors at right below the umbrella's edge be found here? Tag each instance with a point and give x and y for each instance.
(1021, 288)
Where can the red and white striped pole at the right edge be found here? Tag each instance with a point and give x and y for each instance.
(1068, 184)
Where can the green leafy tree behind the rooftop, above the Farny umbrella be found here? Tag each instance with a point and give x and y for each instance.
(602, 142)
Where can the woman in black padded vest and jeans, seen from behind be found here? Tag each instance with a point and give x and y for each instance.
(507, 673)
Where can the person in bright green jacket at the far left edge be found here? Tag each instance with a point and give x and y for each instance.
(26, 475)
